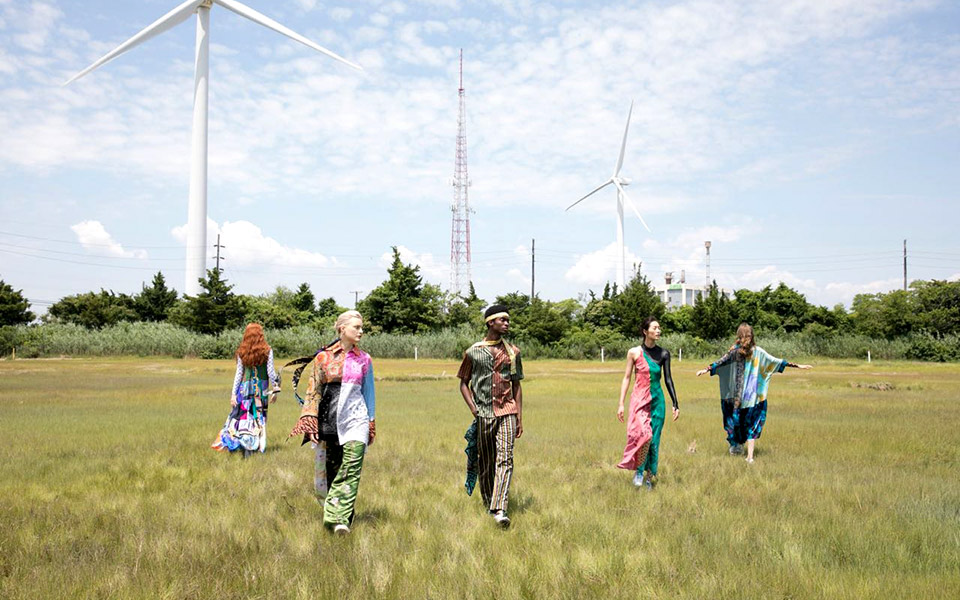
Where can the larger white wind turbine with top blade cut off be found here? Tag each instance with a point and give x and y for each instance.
(197, 206)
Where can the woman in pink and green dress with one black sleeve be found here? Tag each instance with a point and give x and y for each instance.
(648, 362)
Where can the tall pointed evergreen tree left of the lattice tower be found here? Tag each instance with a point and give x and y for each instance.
(403, 303)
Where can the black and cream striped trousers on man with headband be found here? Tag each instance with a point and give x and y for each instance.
(495, 437)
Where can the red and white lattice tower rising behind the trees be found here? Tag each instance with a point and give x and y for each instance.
(460, 207)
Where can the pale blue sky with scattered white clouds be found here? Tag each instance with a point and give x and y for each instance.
(805, 139)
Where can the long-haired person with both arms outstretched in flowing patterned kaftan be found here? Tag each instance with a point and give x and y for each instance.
(744, 374)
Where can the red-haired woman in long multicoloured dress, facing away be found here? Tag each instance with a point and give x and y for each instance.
(253, 384)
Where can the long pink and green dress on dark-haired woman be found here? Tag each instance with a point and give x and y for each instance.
(647, 410)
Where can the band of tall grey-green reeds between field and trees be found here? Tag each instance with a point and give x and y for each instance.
(164, 339)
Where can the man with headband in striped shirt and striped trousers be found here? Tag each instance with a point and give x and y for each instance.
(490, 377)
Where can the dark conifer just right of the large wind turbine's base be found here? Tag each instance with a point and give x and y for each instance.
(211, 311)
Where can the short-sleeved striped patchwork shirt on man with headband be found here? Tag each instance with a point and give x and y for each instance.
(486, 369)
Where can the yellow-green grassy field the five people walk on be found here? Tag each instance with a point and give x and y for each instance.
(108, 489)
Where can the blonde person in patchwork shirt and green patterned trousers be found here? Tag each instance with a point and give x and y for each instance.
(339, 412)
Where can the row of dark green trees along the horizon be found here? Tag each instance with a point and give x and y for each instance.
(404, 303)
